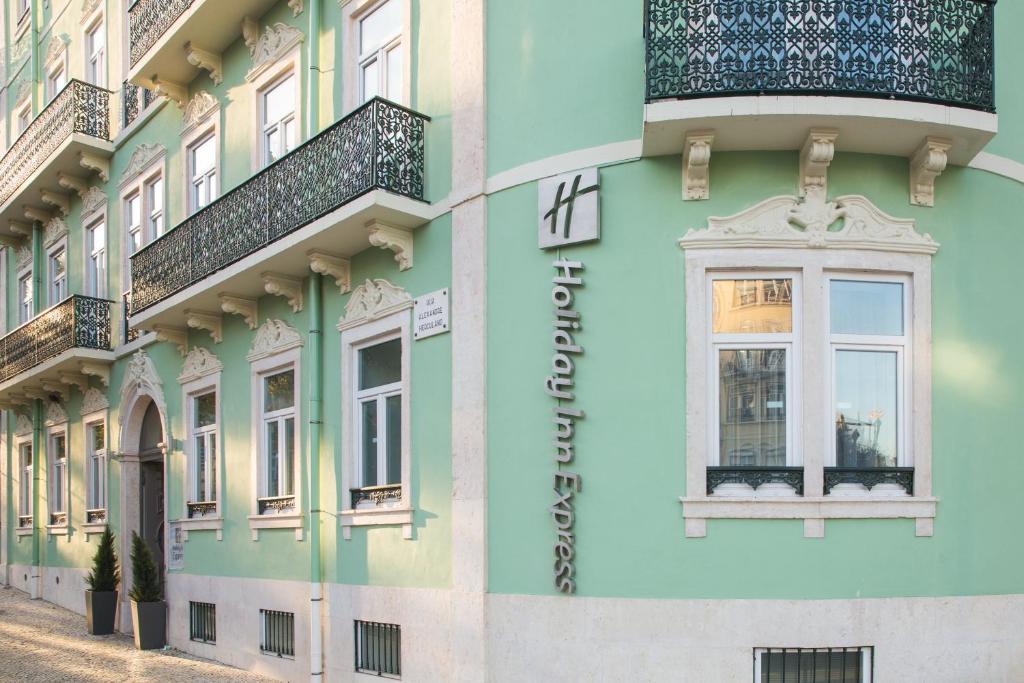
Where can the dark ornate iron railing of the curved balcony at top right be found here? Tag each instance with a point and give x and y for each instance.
(902, 50)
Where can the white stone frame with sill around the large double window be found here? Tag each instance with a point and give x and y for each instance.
(816, 430)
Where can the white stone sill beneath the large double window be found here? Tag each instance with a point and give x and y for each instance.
(697, 511)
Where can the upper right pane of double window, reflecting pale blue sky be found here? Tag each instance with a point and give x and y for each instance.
(867, 309)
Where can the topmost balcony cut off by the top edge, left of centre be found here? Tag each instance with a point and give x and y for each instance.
(169, 39)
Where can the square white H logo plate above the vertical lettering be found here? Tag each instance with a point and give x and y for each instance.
(569, 209)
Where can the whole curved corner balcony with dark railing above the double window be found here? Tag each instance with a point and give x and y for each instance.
(760, 74)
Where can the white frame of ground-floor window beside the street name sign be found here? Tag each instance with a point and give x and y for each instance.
(355, 338)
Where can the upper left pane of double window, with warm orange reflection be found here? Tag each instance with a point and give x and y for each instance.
(752, 307)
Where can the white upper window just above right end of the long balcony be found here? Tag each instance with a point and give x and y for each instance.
(381, 54)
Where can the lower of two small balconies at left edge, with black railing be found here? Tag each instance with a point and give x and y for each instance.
(59, 349)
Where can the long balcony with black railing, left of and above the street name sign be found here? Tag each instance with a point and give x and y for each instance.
(357, 185)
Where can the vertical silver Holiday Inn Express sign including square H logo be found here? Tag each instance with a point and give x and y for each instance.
(569, 214)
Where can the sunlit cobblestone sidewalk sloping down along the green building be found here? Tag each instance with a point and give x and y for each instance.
(42, 643)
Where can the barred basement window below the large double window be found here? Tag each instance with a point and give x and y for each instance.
(822, 665)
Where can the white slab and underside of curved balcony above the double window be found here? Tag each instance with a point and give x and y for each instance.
(773, 123)
